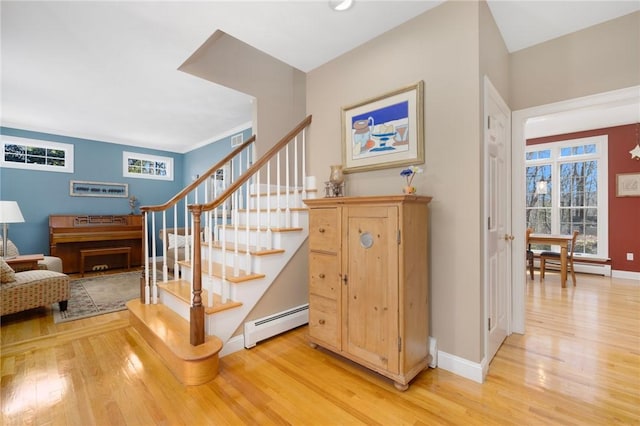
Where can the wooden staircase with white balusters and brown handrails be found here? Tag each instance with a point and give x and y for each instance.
(250, 224)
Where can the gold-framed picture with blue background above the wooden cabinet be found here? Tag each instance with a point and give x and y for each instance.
(384, 132)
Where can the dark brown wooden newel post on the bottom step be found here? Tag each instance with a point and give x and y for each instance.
(197, 309)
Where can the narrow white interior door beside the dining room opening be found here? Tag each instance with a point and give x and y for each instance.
(498, 231)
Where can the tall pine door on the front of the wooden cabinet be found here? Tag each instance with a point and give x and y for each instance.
(371, 295)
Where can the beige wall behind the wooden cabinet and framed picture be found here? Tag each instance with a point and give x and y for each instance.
(441, 48)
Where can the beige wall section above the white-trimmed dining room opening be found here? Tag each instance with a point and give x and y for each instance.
(599, 59)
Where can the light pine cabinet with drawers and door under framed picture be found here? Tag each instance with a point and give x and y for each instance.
(368, 281)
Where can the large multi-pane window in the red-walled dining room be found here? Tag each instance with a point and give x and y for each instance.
(567, 190)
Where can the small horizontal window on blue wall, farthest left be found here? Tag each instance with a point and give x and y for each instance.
(22, 153)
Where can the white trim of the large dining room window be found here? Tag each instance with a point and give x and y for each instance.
(602, 155)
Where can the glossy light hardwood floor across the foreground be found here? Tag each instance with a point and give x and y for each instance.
(577, 364)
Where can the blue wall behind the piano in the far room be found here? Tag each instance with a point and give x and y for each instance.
(41, 193)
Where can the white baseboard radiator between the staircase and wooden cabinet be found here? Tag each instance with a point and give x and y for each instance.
(263, 328)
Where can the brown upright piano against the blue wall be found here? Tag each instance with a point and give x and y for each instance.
(68, 234)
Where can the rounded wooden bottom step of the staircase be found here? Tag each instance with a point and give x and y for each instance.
(168, 334)
